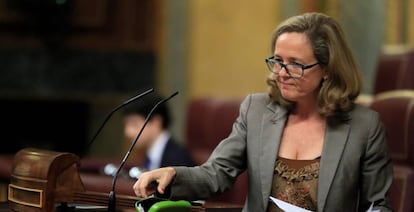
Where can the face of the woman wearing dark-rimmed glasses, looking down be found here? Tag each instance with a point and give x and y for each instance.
(295, 48)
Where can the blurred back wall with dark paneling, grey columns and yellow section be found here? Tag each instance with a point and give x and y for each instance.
(65, 64)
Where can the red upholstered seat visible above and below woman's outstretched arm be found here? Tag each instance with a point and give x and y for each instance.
(209, 120)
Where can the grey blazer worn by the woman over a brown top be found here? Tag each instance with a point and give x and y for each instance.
(354, 167)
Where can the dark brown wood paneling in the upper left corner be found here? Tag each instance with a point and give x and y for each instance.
(96, 24)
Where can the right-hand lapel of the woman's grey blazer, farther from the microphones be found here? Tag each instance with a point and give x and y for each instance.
(335, 139)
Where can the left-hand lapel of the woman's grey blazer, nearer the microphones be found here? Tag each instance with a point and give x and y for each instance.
(273, 122)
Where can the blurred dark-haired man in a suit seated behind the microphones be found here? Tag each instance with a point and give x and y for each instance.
(155, 147)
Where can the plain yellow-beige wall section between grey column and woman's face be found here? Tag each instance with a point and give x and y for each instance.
(228, 44)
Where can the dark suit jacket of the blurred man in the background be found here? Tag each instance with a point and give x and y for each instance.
(175, 155)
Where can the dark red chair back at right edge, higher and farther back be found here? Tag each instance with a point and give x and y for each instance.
(394, 71)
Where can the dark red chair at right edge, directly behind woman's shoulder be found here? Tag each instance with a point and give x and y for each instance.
(396, 109)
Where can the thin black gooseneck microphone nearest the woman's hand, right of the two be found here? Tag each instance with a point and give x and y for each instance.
(112, 197)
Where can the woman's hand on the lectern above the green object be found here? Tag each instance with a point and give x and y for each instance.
(145, 185)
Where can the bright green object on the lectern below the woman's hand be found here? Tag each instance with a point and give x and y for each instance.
(165, 206)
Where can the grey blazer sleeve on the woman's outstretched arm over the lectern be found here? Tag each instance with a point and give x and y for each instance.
(220, 171)
